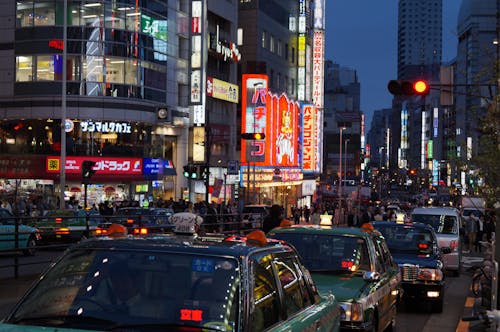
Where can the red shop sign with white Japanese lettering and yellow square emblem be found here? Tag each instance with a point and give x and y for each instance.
(104, 165)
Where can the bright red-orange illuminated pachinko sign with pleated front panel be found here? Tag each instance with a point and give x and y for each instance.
(276, 117)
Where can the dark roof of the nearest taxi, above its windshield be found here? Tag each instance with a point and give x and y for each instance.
(218, 246)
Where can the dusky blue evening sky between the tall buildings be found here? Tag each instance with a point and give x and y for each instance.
(362, 35)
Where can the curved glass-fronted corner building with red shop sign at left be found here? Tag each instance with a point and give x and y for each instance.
(113, 77)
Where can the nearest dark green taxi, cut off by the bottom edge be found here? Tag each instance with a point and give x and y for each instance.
(176, 282)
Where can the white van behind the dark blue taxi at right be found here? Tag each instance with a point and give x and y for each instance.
(446, 222)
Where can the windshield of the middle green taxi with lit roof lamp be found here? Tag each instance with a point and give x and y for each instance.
(330, 253)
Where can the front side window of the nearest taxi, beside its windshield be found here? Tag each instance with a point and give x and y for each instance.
(264, 311)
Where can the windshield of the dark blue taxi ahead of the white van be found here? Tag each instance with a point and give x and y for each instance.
(404, 239)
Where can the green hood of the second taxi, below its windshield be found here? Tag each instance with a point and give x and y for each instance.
(344, 286)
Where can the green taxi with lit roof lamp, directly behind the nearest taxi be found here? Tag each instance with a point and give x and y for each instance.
(356, 266)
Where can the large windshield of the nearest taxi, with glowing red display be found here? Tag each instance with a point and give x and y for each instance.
(94, 289)
